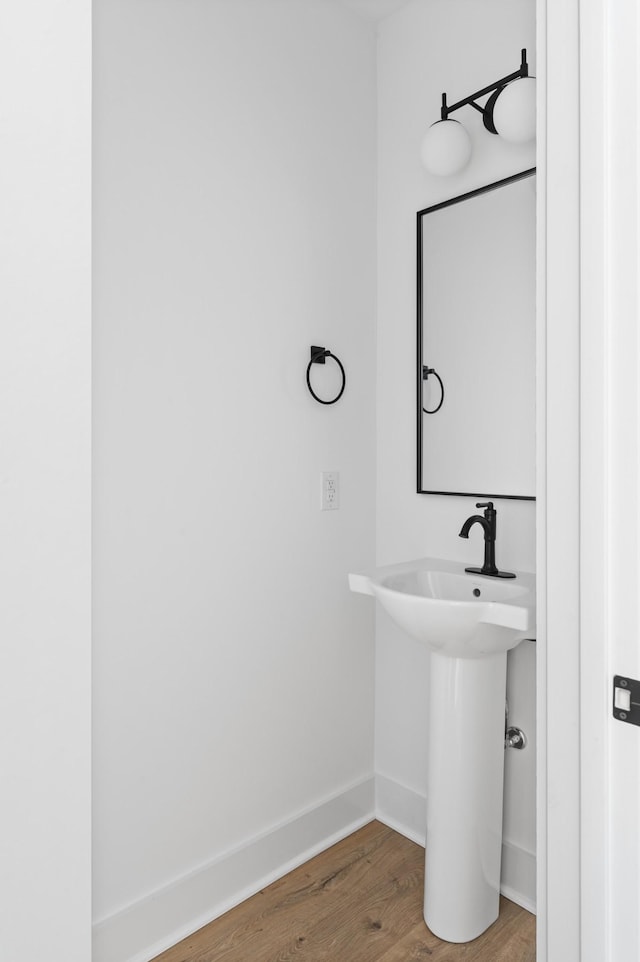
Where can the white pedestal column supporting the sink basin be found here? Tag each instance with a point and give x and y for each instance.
(464, 795)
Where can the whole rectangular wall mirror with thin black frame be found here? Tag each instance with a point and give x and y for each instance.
(476, 342)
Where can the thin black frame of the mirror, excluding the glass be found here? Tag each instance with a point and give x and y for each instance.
(420, 373)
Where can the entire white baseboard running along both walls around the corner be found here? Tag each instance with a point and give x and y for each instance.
(152, 924)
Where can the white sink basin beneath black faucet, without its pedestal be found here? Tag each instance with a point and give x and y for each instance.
(453, 612)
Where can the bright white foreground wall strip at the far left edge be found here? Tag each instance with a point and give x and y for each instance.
(45, 366)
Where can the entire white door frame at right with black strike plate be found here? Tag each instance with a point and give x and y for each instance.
(589, 477)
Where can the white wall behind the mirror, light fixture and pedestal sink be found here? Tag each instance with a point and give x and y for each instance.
(428, 47)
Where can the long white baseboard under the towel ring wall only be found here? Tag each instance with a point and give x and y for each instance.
(154, 923)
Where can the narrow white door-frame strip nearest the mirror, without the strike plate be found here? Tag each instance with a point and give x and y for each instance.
(558, 484)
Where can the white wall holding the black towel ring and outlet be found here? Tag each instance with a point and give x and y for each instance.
(234, 227)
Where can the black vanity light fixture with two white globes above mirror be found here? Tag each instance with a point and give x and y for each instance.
(510, 111)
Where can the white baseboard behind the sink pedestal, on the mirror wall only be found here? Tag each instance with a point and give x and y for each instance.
(405, 811)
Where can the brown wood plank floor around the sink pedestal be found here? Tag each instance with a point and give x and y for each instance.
(360, 901)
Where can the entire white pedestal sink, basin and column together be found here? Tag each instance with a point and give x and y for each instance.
(468, 622)
